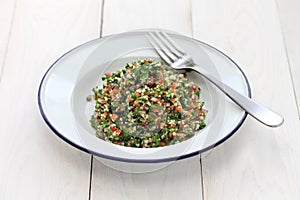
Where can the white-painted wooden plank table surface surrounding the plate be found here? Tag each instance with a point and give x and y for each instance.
(256, 163)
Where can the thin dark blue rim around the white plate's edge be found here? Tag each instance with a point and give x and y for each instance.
(64, 138)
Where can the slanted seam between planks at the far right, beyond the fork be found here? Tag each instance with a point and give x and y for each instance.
(287, 57)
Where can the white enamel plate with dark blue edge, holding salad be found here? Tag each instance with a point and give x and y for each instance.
(64, 87)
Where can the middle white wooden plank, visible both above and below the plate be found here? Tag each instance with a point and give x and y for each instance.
(181, 180)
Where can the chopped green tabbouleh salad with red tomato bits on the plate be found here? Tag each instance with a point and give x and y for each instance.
(147, 104)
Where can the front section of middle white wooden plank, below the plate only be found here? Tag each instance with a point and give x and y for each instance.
(180, 180)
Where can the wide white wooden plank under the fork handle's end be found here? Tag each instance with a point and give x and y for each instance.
(257, 162)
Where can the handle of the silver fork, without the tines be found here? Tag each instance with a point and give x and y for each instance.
(259, 112)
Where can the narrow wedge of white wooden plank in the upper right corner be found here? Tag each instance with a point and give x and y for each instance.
(289, 15)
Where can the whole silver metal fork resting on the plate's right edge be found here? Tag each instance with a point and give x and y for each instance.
(177, 58)
